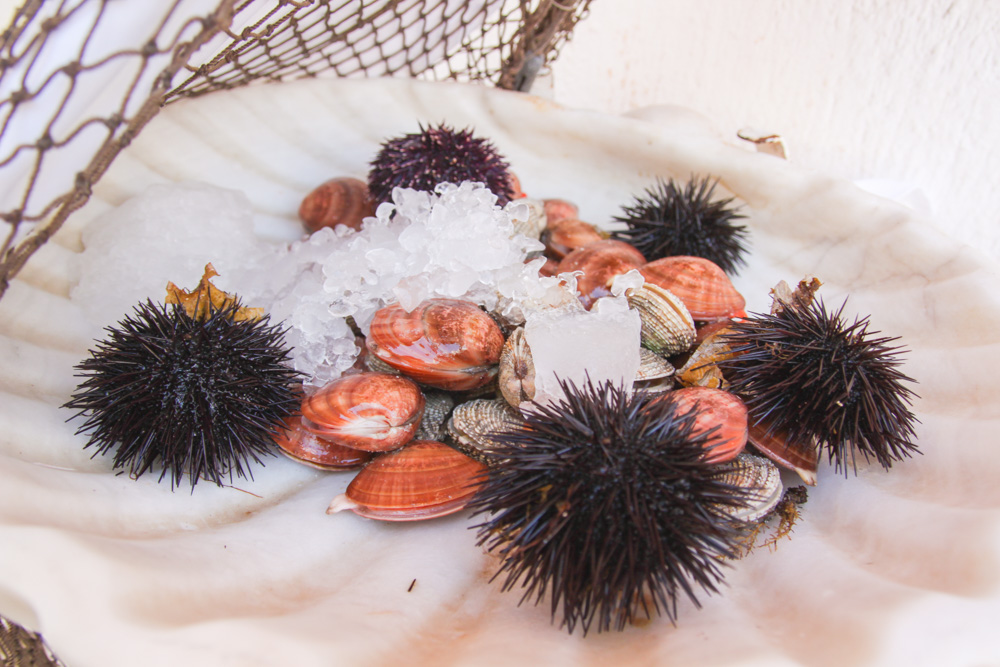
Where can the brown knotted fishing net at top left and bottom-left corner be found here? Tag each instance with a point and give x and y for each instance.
(80, 79)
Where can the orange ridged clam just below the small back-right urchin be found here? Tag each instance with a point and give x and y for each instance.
(703, 287)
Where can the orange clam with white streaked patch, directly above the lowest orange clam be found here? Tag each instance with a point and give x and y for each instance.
(374, 412)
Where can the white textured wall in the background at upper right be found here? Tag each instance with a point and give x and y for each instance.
(908, 91)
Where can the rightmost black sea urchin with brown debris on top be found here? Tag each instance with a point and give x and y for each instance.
(807, 373)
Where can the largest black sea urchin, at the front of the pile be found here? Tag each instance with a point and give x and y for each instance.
(604, 501)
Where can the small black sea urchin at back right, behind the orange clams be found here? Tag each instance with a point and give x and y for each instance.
(684, 220)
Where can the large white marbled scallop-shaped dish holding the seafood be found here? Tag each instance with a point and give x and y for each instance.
(882, 569)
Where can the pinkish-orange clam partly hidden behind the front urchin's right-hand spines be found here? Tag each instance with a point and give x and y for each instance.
(714, 409)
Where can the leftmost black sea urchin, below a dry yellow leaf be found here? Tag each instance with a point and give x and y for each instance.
(200, 395)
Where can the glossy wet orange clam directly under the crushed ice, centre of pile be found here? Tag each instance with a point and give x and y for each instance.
(444, 343)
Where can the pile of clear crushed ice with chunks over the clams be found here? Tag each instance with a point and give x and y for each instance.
(455, 242)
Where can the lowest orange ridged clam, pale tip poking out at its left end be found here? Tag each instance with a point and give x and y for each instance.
(424, 480)
